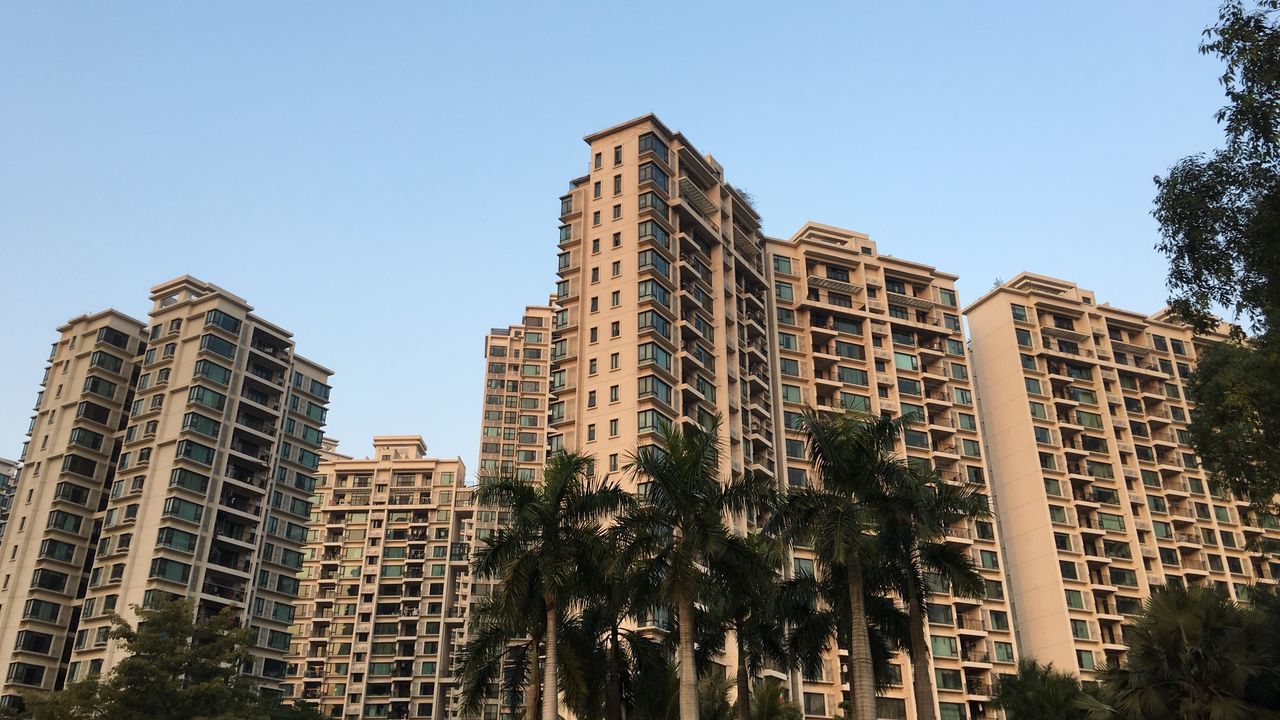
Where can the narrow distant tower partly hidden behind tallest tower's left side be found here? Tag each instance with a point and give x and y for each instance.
(518, 366)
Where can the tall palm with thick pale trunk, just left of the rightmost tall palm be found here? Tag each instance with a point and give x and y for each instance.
(857, 464)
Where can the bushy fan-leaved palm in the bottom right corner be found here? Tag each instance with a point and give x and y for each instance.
(1192, 654)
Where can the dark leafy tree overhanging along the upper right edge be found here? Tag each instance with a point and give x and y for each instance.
(1219, 218)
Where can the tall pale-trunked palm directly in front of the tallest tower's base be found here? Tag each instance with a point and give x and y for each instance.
(680, 528)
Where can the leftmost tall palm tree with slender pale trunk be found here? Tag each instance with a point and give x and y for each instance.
(555, 534)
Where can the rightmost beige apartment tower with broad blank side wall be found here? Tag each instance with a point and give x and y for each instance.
(1101, 496)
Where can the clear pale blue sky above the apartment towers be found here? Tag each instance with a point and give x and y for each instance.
(383, 179)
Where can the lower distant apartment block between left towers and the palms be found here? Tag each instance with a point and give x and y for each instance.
(385, 585)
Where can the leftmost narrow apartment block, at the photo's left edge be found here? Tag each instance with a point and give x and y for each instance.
(68, 468)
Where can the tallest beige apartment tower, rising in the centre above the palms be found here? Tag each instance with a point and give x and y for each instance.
(662, 304)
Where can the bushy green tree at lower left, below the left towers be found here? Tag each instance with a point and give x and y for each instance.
(177, 667)
